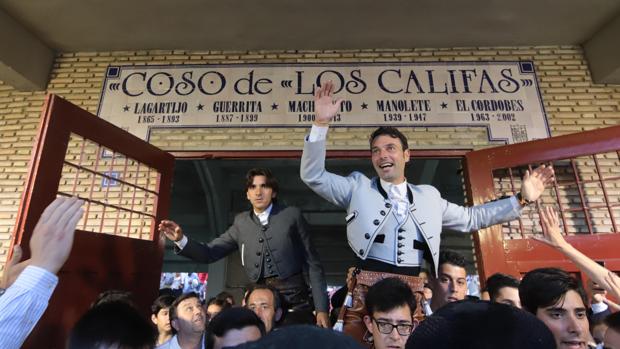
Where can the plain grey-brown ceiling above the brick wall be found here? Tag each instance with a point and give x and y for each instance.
(110, 25)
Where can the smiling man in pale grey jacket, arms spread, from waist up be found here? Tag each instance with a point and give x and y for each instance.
(393, 225)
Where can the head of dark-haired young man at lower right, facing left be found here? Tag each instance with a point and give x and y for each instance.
(559, 300)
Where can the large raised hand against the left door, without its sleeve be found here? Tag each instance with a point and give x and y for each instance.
(52, 238)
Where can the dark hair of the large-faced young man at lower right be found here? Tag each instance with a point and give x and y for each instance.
(544, 287)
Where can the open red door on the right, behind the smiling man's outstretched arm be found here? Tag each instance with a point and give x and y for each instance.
(586, 192)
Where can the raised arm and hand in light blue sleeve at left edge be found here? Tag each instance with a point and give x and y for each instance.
(26, 298)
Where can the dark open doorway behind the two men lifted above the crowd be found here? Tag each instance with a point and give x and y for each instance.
(208, 193)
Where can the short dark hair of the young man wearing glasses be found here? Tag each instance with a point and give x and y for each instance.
(388, 294)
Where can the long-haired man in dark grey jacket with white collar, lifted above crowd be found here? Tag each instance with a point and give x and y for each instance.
(274, 242)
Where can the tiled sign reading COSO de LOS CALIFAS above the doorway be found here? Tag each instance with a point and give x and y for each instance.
(501, 96)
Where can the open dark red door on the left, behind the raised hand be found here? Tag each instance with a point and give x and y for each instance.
(125, 183)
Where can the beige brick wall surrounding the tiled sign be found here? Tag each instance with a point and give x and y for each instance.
(573, 103)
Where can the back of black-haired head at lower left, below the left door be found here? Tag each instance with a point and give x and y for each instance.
(112, 323)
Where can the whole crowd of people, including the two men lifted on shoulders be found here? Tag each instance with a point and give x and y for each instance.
(405, 290)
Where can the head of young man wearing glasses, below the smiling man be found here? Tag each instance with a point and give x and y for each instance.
(390, 304)
